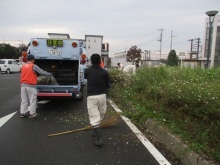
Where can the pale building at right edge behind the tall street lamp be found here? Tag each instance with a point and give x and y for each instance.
(214, 56)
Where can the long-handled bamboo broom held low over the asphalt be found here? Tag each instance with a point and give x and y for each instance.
(106, 123)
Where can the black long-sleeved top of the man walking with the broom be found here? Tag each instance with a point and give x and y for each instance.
(97, 80)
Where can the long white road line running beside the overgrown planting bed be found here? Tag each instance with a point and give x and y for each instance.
(156, 154)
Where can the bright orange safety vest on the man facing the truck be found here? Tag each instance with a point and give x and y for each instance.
(27, 74)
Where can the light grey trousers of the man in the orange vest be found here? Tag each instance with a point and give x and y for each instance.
(28, 100)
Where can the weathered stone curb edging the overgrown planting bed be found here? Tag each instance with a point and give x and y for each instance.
(174, 143)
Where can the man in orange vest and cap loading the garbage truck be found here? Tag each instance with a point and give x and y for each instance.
(29, 73)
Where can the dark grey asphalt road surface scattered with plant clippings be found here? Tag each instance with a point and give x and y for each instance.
(24, 141)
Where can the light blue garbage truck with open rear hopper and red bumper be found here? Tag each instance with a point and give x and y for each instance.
(65, 58)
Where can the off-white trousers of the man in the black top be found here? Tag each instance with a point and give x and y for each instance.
(96, 108)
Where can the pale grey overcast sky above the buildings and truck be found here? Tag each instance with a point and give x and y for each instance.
(122, 23)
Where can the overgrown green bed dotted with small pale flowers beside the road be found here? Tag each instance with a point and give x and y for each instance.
(187, 101)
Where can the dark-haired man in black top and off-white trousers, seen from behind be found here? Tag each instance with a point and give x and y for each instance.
(98, 82)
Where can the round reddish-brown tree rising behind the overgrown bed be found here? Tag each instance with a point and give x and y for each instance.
(134, 55)
